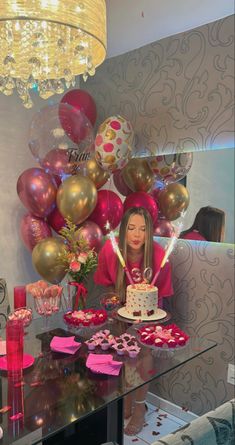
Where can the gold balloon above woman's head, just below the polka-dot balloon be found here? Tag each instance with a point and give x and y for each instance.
(138, 175)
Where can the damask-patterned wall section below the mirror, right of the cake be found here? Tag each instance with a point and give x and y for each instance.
(203, 305)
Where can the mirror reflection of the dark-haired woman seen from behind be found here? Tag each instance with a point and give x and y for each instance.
(208, 226)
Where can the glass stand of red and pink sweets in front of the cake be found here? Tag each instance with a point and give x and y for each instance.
(168, 337)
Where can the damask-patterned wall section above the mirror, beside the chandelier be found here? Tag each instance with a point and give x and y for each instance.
(177, 92)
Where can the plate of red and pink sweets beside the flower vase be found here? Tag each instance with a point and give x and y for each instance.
(85, 318)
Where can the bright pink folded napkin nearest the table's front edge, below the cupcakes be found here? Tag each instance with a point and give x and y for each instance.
(103, 364)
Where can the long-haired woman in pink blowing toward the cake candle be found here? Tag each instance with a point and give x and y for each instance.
(139, 251)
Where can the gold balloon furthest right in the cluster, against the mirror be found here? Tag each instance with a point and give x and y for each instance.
(173, 200)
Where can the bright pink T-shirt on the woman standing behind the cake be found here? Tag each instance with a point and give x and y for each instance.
(106, 272)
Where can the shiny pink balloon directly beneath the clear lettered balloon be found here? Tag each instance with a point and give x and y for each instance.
(57, 162)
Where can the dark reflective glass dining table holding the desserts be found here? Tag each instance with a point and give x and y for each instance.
(62, 401)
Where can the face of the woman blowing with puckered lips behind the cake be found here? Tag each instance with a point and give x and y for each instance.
(135, 235)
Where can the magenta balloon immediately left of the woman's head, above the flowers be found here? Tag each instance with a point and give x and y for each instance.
(108, 208)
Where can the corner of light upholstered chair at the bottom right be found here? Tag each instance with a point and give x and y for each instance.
(213, 428)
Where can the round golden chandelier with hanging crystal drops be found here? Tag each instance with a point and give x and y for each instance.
(46, 43)
